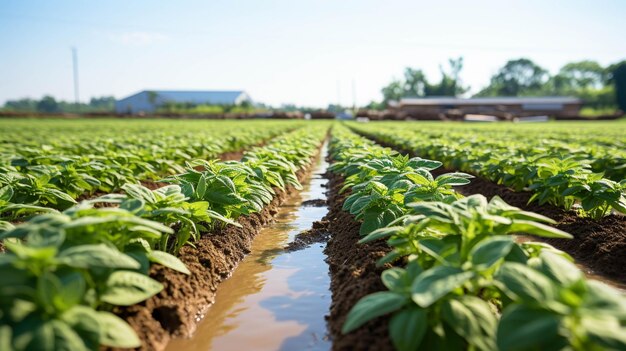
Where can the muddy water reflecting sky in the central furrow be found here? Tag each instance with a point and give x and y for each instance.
(275, 300)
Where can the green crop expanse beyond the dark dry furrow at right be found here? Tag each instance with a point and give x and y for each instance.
(568, 168)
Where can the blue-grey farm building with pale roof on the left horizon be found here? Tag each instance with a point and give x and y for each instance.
(148, 101)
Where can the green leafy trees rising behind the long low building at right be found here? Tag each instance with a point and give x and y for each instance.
(600, 88)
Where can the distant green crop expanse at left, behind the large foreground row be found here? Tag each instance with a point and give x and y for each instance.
(82, 159)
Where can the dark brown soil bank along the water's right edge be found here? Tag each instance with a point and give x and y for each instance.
(353, 274)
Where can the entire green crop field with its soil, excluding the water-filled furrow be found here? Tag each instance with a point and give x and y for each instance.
(93, 212)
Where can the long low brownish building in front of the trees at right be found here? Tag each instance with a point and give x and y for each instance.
(501, 107)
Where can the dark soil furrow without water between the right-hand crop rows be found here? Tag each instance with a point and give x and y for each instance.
(599, 245)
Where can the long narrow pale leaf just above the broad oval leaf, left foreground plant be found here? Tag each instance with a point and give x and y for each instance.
(101, 255)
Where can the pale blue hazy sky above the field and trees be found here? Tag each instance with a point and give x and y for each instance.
(303, 52)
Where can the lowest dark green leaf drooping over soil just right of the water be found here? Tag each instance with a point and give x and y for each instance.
(372, 306)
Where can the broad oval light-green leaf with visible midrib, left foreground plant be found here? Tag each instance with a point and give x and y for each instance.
(127, 288)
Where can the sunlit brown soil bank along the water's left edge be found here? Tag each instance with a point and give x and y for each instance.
(176, 310)
